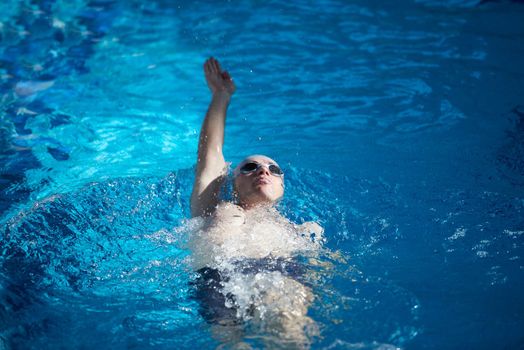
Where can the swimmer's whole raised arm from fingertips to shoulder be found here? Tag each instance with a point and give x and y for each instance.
(211, 166)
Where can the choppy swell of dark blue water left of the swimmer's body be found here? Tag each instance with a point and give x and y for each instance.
(79, 270)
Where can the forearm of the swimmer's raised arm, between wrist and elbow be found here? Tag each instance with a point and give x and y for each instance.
(212, 133)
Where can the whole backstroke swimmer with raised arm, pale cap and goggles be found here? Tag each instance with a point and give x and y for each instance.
(247, 230)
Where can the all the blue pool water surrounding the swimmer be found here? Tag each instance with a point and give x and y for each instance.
(400, 126)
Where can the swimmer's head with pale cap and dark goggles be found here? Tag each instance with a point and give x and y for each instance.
(255, 183)
